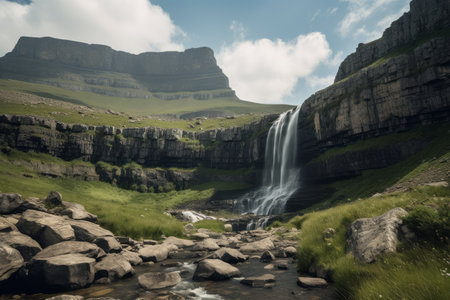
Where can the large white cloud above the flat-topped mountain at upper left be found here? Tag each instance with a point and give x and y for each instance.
(134, 26)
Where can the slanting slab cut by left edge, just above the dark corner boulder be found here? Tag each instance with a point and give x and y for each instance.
(21, 242)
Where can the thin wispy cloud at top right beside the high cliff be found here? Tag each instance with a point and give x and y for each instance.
(361, 10)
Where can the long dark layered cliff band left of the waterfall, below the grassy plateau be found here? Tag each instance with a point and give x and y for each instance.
(230, 148)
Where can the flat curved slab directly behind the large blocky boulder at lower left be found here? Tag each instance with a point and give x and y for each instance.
(71, 247)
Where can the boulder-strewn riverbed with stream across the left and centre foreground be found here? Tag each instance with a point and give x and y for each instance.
(47, 253)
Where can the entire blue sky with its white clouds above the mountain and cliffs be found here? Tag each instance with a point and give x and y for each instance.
(273, 51)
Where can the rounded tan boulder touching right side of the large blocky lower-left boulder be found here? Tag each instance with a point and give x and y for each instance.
(112, 267)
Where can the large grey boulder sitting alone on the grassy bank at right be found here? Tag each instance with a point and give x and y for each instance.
(369, 237)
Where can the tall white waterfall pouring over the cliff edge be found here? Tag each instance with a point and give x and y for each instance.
(281, 172)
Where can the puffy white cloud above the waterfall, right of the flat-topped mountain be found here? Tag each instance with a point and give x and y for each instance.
(266, 71)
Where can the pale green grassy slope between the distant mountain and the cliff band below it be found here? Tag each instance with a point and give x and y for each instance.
(145, 106)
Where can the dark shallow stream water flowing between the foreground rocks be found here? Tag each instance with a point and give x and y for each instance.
(128, 289)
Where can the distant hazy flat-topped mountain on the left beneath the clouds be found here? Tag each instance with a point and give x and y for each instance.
(100, 69)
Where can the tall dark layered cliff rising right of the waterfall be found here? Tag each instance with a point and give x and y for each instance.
(393, 84)
